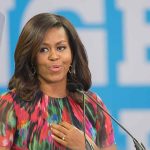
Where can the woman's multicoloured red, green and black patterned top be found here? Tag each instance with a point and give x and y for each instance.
(24, 125)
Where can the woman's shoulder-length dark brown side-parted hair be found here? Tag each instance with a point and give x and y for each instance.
(23, 81)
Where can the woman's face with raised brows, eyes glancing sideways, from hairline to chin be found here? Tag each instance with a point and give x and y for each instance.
(54, 57)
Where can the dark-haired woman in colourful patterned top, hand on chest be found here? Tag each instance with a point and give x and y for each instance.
(41, 111)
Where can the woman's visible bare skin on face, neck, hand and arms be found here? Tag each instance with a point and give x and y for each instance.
(53, 62)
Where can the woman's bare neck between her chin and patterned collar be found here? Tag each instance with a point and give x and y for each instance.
(56, 90)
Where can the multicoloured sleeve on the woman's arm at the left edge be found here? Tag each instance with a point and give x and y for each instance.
(7, 120)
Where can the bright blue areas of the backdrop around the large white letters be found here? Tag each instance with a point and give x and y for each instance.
(115, 96)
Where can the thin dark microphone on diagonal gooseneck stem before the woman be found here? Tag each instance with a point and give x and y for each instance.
(75, 87)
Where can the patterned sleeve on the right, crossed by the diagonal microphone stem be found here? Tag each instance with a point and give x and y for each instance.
(105, 132)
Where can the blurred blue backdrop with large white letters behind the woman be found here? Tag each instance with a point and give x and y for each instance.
(116, 34)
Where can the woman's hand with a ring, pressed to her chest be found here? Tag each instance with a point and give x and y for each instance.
(68, 135)
